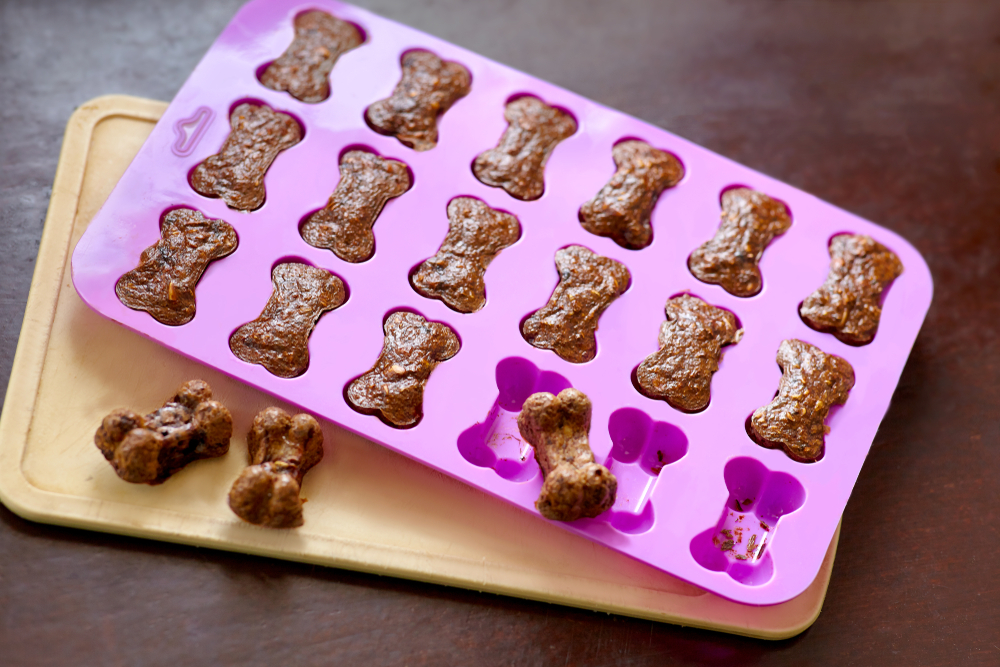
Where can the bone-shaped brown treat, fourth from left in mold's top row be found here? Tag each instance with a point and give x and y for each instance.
(622, 209)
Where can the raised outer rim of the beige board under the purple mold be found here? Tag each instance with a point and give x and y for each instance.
(35, 504)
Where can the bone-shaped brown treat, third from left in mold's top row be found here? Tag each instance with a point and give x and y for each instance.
(517, 164)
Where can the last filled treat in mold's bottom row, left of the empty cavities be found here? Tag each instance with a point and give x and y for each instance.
(394, 387)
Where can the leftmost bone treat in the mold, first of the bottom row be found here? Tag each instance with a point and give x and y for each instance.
(164, 281)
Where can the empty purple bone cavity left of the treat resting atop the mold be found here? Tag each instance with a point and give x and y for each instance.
(496, 442)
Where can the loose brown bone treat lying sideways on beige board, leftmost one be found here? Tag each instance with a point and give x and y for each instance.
(189, 426)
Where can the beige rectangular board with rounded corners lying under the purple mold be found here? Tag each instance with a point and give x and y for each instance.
(369, 509)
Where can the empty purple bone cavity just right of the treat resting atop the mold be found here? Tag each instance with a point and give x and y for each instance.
(641, 449)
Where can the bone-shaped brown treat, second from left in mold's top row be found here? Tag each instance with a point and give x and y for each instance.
(428, 88)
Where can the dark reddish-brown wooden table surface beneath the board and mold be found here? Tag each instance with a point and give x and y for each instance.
(890, 110)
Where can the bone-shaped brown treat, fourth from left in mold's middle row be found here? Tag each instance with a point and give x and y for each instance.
(567, 324)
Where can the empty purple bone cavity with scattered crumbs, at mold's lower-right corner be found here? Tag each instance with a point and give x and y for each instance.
(738, 544)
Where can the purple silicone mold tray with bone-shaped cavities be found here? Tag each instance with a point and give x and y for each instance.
(676, 471)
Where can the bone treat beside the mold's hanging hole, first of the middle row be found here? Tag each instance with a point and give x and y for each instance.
(236, 173)
